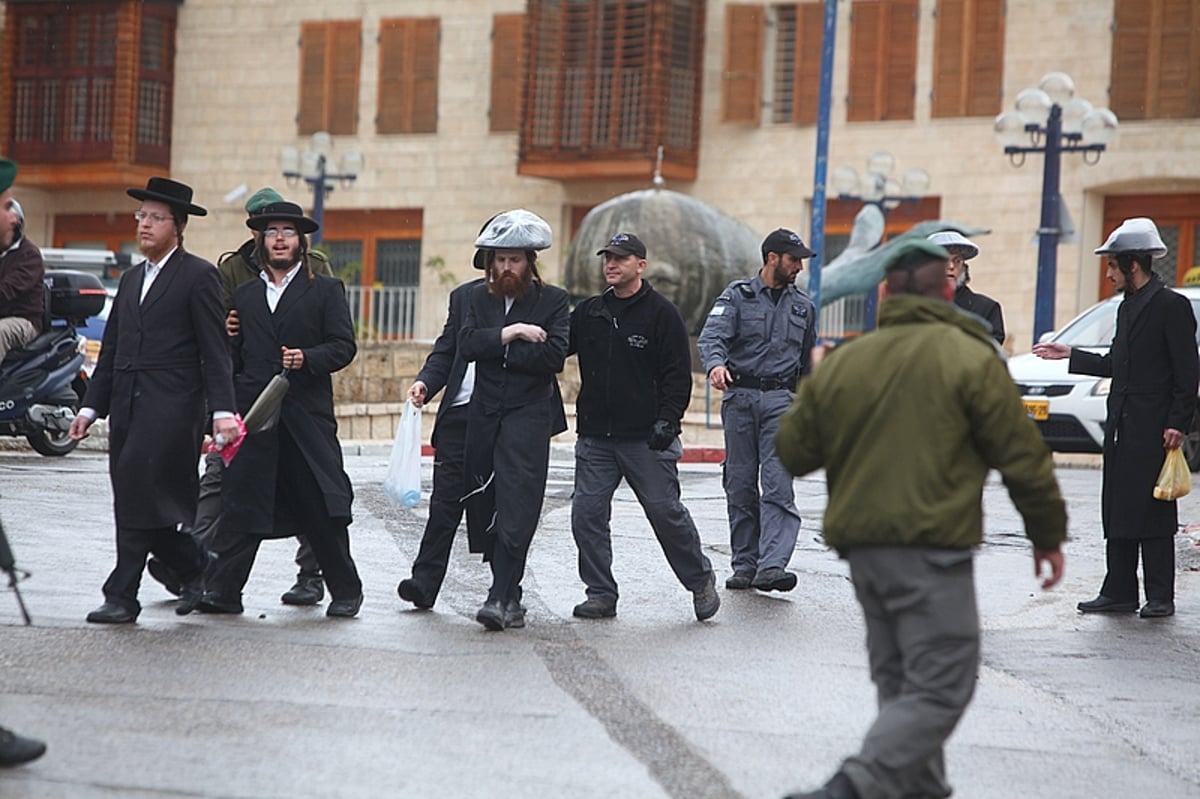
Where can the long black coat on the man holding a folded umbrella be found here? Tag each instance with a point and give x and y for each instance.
(311, 316)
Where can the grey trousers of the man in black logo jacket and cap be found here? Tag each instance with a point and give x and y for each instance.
(655, 478)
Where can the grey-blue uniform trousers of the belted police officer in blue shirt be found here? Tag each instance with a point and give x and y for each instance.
(764, 525)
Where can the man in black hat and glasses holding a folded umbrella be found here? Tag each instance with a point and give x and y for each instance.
(289, 478)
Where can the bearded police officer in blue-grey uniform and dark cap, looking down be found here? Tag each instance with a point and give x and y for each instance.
(755, 346)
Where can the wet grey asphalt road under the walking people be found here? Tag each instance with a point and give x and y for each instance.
(766, 698)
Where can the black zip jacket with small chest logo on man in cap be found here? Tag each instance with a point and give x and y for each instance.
(633, 370)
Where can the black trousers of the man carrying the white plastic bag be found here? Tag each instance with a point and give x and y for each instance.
(446, 509)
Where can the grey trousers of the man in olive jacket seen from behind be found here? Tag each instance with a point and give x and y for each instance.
(923, 645)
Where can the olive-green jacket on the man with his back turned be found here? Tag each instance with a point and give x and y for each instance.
(908, 422)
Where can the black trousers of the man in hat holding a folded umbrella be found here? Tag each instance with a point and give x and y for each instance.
(296, 489)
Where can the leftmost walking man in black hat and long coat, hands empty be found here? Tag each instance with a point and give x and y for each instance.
(164, 367)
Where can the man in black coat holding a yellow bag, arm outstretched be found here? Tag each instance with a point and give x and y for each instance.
(1150, 410)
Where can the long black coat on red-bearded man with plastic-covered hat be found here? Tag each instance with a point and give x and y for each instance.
(515, 410)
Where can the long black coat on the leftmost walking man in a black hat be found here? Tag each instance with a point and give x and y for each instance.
(161, 359)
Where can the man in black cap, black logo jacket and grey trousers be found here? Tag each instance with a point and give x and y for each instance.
(635, 383)
